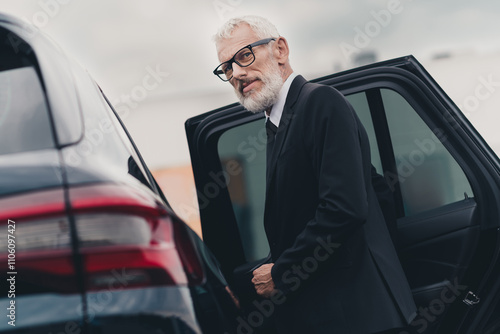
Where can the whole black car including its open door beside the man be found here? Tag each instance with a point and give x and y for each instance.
(90, 244)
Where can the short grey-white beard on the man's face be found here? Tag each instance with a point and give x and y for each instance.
(267, 96)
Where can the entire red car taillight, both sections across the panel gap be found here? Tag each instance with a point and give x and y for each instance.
(125, 240)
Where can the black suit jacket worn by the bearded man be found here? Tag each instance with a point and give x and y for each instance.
(334, 260)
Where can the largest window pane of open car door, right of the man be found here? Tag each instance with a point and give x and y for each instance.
(428, 175)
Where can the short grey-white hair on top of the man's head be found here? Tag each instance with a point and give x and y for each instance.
(259, 25)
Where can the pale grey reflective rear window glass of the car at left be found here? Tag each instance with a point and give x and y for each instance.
(24, 117)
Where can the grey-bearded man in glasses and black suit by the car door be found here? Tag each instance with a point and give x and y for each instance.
(319, 193)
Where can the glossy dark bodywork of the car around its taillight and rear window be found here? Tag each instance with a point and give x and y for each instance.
(92, 146)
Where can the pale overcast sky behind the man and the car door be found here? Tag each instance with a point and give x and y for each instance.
(119, 41)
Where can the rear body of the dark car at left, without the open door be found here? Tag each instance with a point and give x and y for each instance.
(88, 242)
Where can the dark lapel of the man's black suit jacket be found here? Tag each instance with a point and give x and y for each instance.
(286, 120)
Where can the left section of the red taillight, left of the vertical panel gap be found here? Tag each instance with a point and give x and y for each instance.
(43, 257)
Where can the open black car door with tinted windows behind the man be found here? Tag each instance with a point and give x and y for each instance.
(444, 178)
